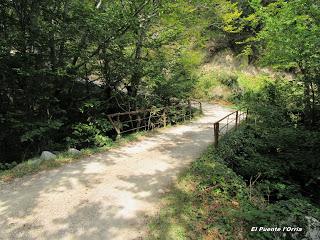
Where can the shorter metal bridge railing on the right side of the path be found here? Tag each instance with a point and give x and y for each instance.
(227, 123)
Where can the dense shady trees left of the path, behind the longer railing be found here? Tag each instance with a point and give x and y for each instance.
(64, 63)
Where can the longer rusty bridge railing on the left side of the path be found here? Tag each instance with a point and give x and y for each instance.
(149, 119)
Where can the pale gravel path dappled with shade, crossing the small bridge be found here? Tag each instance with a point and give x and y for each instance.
(105, 196)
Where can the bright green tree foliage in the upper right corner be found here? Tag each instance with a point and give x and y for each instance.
(291, 34)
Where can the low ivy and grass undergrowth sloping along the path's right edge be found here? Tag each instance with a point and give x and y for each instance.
(217, 199)
